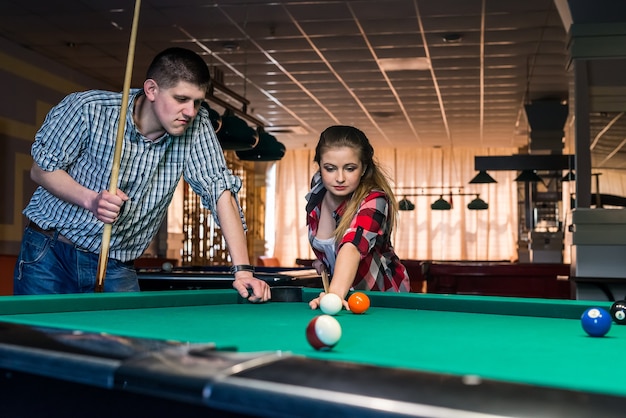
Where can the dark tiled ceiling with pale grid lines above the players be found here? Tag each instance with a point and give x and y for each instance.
(305, 65)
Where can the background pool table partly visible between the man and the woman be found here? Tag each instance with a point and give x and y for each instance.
(220, 277)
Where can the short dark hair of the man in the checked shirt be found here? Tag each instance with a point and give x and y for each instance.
(173, 65)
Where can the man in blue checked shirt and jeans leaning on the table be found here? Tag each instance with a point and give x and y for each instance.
(167, 135)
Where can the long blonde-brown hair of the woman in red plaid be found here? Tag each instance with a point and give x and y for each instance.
(373, 177)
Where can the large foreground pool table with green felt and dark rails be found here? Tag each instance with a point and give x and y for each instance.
(211, 353)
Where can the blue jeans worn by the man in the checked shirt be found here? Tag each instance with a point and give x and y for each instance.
(46, 265)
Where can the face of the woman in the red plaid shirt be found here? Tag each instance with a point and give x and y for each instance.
(341, 170)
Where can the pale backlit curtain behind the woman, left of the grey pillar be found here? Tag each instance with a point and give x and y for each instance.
(422, 174)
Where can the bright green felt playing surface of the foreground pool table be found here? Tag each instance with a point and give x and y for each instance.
(547, 348)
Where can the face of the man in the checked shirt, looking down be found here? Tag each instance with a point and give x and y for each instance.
(177, 106)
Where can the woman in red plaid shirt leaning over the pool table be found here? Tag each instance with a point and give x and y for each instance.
(350, 215)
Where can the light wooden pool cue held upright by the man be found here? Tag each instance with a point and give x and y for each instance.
(106, 233)
